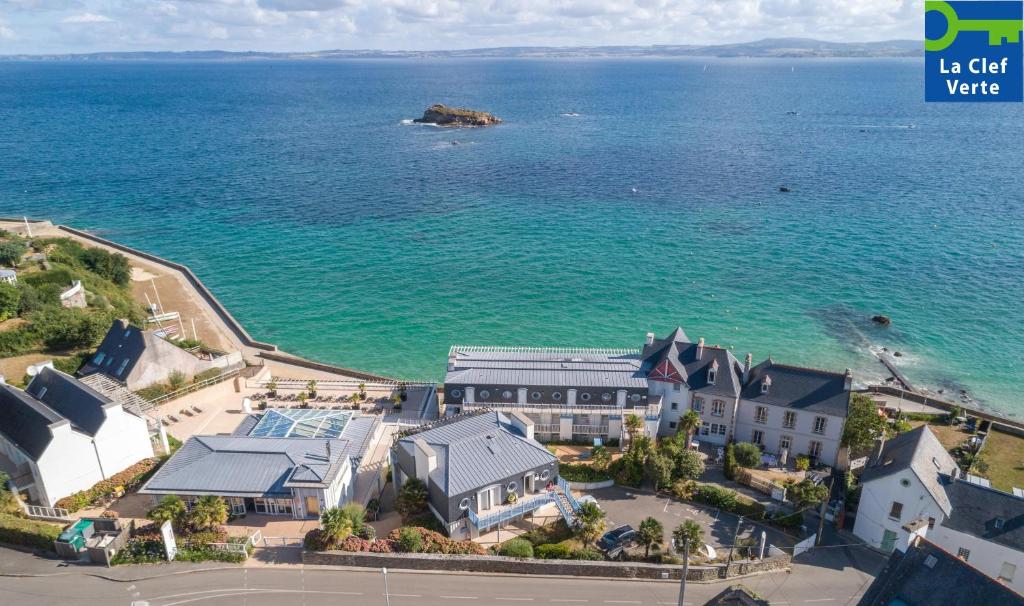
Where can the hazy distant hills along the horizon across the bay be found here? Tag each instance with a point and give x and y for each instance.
(770, 48)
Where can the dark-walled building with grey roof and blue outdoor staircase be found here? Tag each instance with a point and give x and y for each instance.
(475, 465)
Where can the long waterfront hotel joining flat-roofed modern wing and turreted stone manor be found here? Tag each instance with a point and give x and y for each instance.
(581, 395)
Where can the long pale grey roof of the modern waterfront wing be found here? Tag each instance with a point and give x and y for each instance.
(546, 367)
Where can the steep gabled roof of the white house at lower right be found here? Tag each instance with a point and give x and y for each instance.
(920, 452)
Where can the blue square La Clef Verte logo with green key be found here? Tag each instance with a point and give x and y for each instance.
(973, 52)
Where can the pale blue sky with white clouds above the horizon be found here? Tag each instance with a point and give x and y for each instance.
(39, 27)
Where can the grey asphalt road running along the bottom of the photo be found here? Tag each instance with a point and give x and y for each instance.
(309, 586)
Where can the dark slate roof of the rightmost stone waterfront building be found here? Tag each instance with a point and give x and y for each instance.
(799, 388)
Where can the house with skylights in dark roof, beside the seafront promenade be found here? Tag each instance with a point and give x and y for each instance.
(139, 359)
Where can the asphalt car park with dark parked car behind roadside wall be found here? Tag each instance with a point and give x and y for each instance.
(625, 506)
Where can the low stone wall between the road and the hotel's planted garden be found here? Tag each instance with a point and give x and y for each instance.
(498, 565)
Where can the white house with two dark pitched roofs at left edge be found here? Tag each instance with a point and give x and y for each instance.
(59, 437)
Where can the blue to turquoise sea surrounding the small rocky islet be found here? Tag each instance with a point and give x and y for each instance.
(332, 229)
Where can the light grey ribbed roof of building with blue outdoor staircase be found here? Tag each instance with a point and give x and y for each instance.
(479, 451)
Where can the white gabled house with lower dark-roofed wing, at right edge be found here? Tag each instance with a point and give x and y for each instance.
(912, 489)
